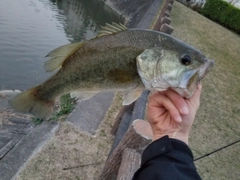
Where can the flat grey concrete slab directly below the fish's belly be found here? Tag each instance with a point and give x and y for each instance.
(88, 114)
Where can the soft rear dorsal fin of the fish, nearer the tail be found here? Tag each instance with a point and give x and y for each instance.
(59, 55)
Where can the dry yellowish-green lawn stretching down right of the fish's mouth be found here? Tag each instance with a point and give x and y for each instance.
(217, 121)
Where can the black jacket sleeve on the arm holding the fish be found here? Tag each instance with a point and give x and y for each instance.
(167, 159)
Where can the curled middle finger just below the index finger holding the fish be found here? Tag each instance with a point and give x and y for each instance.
(158, 100)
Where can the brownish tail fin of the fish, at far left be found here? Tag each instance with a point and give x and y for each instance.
(28, 102)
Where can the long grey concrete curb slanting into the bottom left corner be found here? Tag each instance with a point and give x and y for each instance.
(15, 159)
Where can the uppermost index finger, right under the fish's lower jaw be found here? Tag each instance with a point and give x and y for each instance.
(178, 101)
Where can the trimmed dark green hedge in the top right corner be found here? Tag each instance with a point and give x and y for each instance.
(224, 13)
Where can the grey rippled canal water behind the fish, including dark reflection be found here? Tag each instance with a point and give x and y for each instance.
(29, 29)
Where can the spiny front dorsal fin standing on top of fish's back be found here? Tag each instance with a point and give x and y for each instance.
(111, 29)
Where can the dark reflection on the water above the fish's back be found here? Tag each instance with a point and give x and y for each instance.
(83, 18)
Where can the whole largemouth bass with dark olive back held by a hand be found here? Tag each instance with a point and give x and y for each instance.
(118, 59)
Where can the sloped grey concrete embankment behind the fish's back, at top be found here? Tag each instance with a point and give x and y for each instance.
(150, 14)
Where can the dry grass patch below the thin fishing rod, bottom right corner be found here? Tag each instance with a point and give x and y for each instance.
(221, 165)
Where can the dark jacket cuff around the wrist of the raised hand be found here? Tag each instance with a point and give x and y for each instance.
(164, 145)
